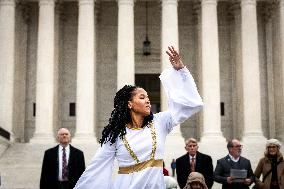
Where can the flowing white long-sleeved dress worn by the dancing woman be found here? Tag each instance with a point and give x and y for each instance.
(183, 101)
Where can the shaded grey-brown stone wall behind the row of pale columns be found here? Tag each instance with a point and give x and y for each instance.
(107, 55)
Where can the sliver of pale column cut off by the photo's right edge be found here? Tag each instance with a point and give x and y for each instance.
(281, 24)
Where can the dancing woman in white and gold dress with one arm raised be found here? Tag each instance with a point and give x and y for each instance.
(136, 137)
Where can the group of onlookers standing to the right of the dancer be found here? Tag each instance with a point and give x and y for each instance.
(194, 170)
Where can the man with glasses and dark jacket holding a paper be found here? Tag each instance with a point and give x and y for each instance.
(234, 160)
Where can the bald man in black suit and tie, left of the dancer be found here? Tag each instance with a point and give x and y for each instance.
(62, 165)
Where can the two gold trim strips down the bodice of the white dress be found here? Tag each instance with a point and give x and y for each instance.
(154, 144)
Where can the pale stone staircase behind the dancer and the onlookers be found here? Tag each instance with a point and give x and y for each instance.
(20, 164)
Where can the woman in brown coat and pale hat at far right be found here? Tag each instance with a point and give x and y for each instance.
(271, 167)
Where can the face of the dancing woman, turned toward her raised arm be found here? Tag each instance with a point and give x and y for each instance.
(140, 103)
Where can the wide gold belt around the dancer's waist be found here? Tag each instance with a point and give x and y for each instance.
(140, 166)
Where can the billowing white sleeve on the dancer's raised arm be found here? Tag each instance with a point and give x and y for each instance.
(183, 97)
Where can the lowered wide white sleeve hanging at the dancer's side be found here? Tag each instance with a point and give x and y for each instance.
(99, 173)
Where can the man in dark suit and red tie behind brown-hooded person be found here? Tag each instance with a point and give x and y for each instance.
(194, 161)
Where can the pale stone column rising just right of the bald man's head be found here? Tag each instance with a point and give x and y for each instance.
(85, 121)
